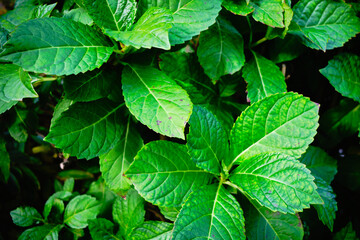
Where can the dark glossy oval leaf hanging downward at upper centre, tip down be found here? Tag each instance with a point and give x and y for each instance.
(221, 50)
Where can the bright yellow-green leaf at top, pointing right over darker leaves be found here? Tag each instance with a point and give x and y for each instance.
(151, 30)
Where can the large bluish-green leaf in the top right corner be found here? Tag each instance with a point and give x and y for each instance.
(324, 24)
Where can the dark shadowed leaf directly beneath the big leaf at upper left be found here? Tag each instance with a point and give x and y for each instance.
(89, 86)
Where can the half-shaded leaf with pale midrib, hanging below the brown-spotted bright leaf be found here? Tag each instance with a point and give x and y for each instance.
(115, 163)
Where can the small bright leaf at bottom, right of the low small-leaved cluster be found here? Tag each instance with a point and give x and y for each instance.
(129, 212)
